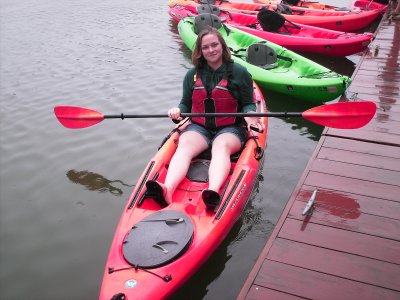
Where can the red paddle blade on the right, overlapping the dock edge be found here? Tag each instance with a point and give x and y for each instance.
(345, 115)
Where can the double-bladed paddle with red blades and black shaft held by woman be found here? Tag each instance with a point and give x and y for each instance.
(345, 115)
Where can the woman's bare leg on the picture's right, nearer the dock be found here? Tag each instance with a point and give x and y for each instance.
(223, 147)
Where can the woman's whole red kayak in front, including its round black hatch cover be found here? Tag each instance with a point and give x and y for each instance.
(156, 249)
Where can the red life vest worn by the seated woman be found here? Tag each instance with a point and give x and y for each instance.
(219, 100)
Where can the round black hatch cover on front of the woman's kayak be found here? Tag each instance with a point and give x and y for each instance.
(158, 239)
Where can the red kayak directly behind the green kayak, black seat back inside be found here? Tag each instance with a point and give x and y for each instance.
(294, 36)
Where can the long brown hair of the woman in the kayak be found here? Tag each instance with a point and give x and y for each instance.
(197, 57)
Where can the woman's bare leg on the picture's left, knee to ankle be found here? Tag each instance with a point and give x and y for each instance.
(191, 144)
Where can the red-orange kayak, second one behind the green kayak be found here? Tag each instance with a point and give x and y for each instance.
(348, 21)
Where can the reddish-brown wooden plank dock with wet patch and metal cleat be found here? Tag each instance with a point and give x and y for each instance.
(349, 247)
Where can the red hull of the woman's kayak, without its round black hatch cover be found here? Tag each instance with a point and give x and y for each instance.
(210, 228)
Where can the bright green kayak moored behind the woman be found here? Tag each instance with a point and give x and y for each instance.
(273, 67)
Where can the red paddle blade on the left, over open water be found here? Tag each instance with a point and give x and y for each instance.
(77, 117)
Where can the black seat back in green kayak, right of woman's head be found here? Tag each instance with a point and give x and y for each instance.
(262, 56)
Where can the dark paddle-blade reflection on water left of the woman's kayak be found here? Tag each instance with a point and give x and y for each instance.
(96, 182)
